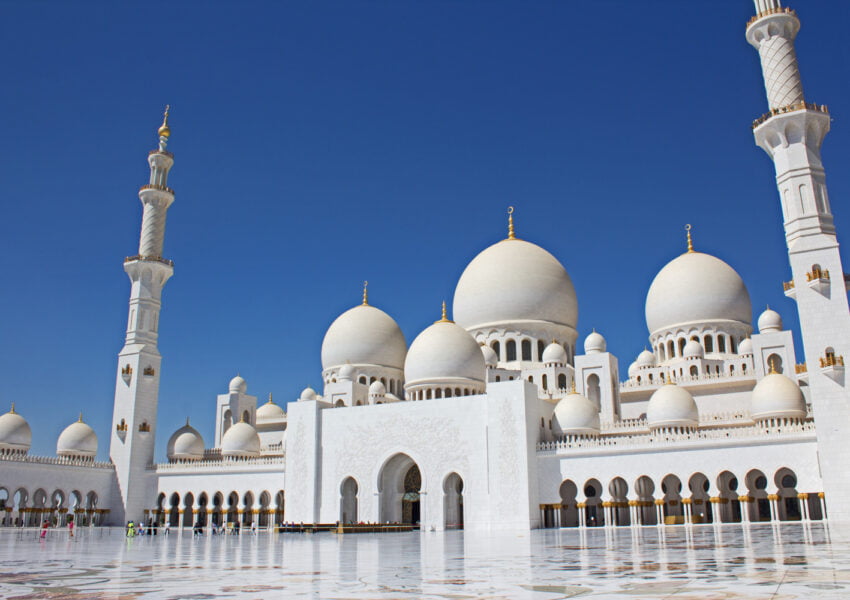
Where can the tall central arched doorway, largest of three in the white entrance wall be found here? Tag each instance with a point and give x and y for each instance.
(399, 484)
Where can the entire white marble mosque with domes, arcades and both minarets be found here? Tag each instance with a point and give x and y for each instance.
(500, 419)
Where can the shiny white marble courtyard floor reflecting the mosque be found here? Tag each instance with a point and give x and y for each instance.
(705, 562)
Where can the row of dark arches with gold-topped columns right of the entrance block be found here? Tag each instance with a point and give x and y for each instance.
(674, 501)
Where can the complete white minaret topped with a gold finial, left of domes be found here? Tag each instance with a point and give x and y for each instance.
(131, 445)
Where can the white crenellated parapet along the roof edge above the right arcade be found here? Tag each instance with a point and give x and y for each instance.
(649, 439)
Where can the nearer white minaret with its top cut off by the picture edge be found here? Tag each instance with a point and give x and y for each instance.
(792, 134)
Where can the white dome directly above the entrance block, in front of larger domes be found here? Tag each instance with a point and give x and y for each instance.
(444, 352)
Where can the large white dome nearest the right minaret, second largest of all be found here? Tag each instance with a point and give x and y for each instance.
(696, 288)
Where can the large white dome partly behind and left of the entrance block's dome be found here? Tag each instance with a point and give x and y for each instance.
(364, 335)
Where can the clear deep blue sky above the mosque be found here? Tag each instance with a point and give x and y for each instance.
(319, 144)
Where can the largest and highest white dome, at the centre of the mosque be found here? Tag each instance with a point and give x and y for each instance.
(514, 281)
